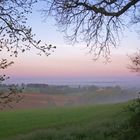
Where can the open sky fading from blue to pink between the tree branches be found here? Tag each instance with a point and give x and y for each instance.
(69, 62)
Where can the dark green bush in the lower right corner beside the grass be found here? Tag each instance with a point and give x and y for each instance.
(130, 129)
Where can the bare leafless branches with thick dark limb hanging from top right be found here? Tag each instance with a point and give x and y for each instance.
(99, 23)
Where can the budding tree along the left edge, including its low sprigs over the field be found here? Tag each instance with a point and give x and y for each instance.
(15, 37)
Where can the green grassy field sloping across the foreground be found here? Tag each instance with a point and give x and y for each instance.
(76, 123)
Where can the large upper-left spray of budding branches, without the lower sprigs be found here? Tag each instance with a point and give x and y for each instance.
(15, 35)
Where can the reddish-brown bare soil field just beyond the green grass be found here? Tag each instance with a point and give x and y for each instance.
(38, 100)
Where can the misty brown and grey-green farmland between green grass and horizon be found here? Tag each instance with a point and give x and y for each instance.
(43, 95)
